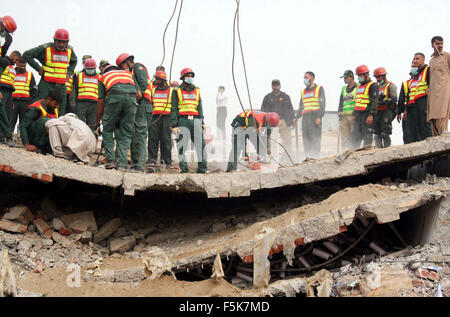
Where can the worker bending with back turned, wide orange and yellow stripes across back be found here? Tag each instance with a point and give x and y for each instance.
(117, 102)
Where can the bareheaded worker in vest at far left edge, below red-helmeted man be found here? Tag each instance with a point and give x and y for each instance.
(7, 77)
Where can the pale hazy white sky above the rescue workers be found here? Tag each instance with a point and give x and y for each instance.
(282, 39)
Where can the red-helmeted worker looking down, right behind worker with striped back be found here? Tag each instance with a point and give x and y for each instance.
(142, 80)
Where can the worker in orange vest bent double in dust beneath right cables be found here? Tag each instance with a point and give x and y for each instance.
(250, 125)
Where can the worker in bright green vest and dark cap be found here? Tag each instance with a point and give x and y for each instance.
(346, 106)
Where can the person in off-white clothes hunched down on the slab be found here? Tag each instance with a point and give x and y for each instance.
(71, 138)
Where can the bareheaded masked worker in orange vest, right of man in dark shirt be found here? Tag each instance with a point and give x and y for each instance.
(312, 109)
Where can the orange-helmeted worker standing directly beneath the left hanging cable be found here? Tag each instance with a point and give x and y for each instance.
(160, 131)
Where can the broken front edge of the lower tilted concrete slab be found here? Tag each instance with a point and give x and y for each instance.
(331, 224)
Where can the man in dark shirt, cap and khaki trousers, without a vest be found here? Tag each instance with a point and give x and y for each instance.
(279, 102)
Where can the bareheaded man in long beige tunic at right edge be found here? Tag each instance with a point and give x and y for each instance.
(438, 112)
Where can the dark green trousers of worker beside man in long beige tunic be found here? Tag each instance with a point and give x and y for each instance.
(416, 121)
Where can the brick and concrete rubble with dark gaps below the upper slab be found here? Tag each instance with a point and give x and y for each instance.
(58, 246)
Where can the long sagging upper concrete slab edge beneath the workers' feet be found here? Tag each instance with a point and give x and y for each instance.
(238, 184)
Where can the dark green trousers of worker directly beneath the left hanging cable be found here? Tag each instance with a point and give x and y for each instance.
(160, 135)
